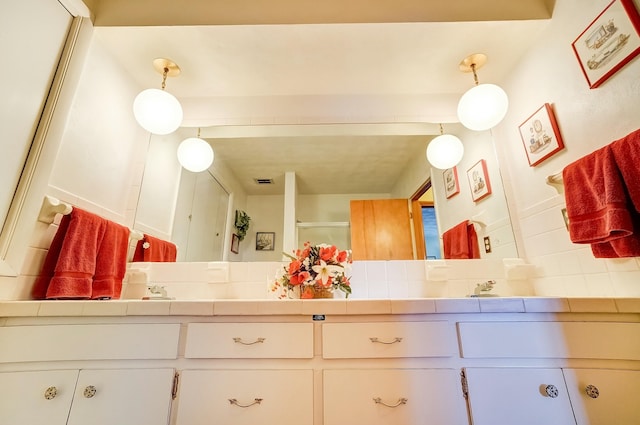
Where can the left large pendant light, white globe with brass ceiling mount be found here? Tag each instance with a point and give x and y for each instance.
(158, 111)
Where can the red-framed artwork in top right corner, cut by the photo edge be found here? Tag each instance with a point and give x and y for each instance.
(609, 42)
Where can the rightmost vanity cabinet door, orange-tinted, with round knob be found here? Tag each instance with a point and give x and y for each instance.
(604, 397)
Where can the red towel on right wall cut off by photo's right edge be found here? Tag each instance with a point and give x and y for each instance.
(626, 152)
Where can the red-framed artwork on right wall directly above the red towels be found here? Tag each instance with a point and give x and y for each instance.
(540, 135)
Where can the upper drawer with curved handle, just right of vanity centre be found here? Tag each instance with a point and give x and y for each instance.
(388, 340)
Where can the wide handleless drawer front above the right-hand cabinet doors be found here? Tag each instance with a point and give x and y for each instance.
(550, 340)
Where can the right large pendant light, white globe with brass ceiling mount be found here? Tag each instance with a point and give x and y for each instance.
(484, 105)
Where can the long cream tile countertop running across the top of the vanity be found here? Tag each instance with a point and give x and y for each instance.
(308, 307)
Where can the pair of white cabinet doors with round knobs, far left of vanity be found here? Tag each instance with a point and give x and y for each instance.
(80, 397)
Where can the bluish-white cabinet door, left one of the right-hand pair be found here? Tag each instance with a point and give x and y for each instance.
(518, 396)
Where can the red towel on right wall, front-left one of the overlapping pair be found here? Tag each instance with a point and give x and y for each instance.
(596, 201)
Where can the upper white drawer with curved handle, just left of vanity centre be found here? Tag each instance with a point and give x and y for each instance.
(249, 340)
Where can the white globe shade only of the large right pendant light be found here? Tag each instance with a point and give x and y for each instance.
(482, 107)
